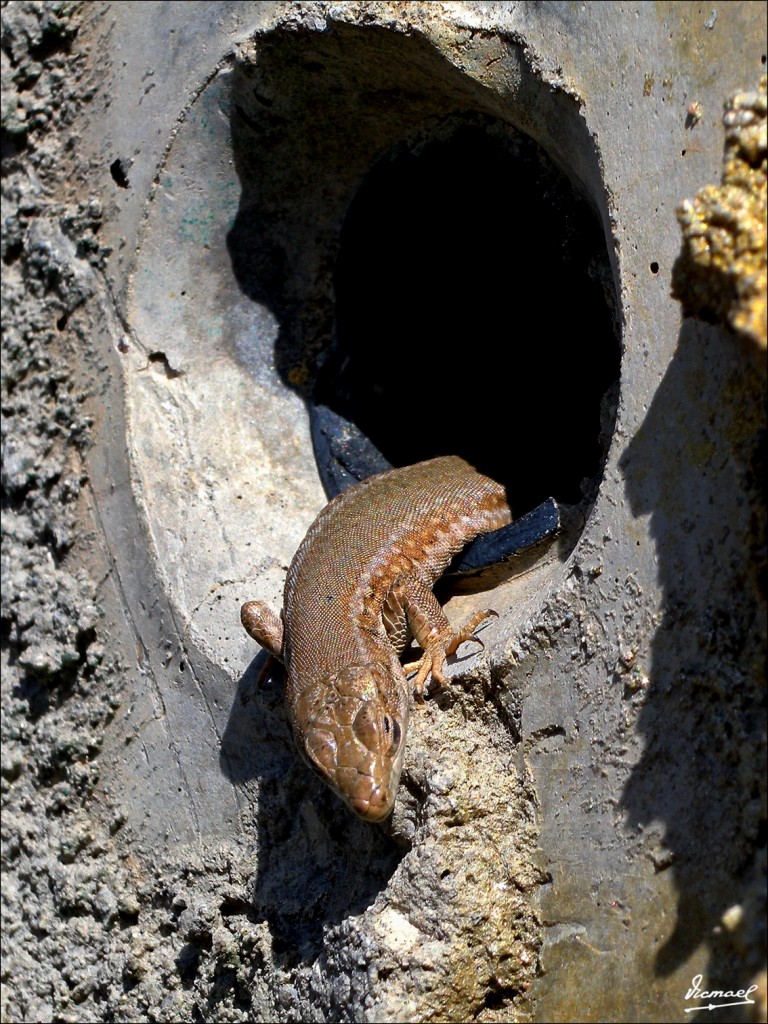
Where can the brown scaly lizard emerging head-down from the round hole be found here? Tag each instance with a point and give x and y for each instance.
(358, 589)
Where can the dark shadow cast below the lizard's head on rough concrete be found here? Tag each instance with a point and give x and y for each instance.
(319, 865)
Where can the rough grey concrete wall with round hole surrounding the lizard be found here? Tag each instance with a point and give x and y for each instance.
(191, 250)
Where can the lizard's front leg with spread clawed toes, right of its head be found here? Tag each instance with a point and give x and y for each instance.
(411, 599)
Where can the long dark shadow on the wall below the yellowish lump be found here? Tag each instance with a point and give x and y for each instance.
(696, 466)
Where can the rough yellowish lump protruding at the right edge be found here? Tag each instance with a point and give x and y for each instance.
(720, 275)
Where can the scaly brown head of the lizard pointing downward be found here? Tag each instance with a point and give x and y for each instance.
(354, 735)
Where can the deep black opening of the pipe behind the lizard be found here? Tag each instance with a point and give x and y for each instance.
(474, 318)
